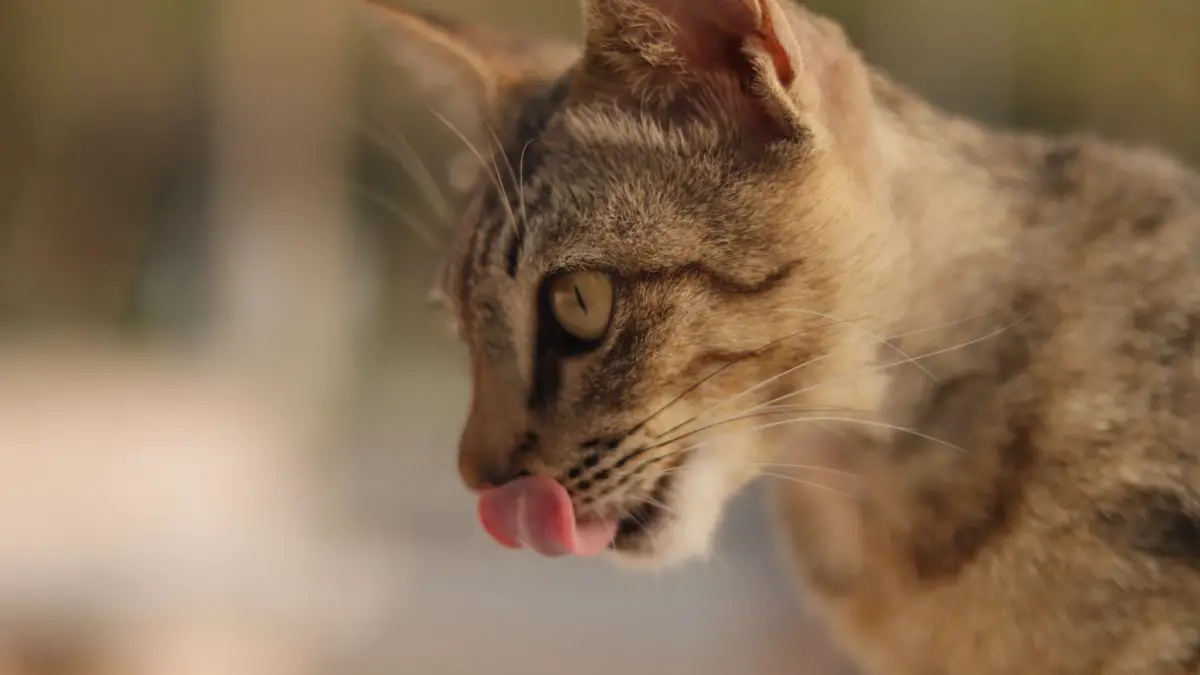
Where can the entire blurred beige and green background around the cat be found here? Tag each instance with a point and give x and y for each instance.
(227, 417)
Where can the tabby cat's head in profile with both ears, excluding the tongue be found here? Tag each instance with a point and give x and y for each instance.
(673, 224)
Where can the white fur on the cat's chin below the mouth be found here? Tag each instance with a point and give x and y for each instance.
(698, 499)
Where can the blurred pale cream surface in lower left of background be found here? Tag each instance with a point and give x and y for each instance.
(169, 516)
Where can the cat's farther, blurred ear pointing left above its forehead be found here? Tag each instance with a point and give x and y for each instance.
(476, 75)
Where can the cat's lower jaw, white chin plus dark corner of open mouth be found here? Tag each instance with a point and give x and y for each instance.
(685, 527)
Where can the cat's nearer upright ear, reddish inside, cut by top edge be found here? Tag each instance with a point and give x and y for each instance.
(747, 62)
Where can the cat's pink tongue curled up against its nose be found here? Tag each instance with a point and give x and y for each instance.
(537, 512)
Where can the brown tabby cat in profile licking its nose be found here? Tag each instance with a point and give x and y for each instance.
(715, 243)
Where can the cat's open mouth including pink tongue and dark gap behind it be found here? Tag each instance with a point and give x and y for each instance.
(537, 512)
